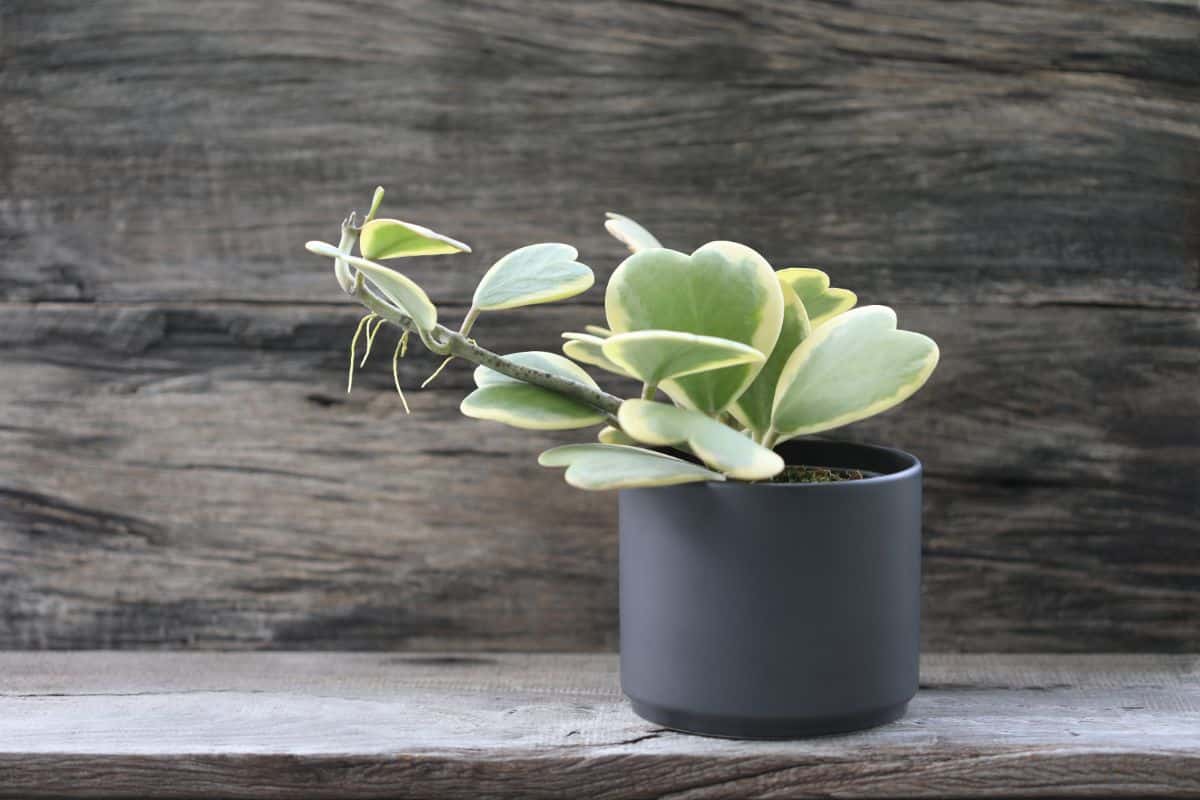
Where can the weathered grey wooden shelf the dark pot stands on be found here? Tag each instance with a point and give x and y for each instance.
(447, 726)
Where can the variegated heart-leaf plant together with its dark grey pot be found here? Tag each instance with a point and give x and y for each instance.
(770, 584)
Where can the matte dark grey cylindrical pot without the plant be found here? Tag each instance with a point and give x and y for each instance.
(775, 610)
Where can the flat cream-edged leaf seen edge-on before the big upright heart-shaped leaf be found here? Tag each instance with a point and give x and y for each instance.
(655, 357)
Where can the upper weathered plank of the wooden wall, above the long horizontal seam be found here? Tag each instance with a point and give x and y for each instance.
(982, 152)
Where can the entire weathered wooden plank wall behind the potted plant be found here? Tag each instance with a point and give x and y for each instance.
(181, 468)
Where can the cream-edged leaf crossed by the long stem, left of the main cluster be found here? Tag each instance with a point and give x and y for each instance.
(517, 404)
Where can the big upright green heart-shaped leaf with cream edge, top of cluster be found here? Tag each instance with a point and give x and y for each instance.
(723, 290)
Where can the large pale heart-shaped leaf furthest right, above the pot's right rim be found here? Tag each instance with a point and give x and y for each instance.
(850, 369)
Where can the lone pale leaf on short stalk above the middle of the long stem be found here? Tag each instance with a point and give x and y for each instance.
(533, 275)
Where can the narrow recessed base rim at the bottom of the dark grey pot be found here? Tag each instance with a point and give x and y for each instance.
(728, 727)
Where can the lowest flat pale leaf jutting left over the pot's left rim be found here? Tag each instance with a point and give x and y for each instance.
(621, 467)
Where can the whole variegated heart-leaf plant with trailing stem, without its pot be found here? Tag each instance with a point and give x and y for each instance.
(747, 356)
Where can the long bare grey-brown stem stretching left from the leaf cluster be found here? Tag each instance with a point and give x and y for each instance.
(445, 341)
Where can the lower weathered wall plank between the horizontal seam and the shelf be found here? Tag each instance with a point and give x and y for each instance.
(195, 477)
